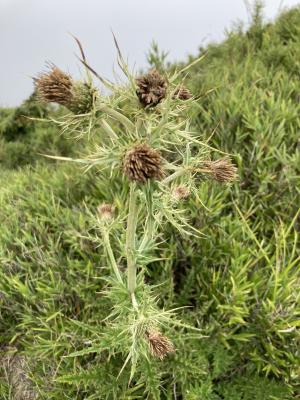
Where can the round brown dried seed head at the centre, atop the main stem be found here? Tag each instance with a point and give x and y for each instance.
(142, 162)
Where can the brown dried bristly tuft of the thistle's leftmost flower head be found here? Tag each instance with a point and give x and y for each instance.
(54, 86)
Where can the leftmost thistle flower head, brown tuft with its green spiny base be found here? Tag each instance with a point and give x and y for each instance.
(58, 87)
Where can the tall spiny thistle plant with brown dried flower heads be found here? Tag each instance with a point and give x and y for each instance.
(143, 146)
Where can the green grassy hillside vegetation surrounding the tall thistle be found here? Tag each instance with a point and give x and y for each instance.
(238, 283)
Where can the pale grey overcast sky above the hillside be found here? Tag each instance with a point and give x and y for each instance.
(33, 31)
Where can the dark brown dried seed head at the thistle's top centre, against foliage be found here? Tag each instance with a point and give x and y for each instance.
(152, 88)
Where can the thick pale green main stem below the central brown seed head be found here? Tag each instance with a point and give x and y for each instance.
(130, 240)
